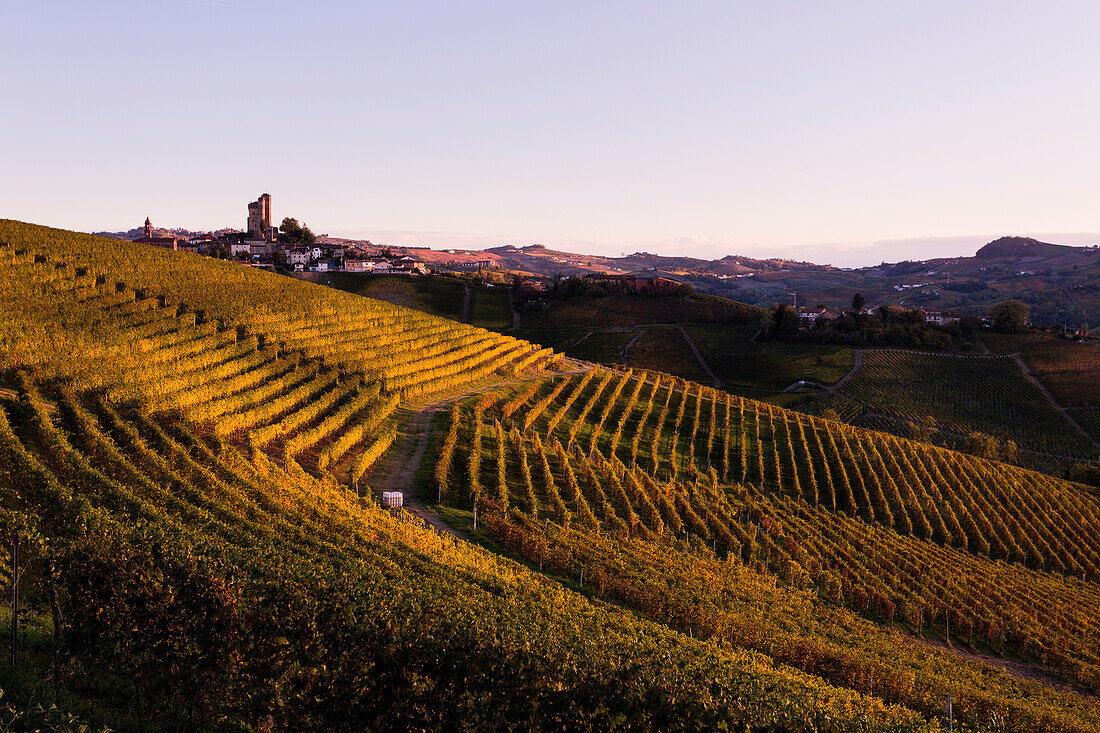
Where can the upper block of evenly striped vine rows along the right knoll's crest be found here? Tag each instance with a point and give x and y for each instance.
(675, 431)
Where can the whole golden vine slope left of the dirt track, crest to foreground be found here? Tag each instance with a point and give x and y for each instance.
(175, 576)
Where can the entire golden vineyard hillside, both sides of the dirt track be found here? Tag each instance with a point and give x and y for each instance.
(193, 453)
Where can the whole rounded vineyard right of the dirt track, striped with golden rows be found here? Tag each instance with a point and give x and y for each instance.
(898, 532)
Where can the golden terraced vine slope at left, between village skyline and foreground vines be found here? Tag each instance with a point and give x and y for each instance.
(312, 389)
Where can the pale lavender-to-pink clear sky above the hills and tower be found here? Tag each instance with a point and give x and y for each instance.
(849, 134)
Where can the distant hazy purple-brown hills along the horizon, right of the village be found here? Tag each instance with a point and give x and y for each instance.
(1059, 282)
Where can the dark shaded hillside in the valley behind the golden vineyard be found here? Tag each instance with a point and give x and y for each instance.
(942, 398)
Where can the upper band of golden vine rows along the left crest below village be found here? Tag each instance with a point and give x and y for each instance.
(413, 353)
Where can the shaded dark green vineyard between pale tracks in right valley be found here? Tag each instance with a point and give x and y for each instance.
(962, 396)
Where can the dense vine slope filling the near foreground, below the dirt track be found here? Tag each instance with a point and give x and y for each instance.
(261, 592)
